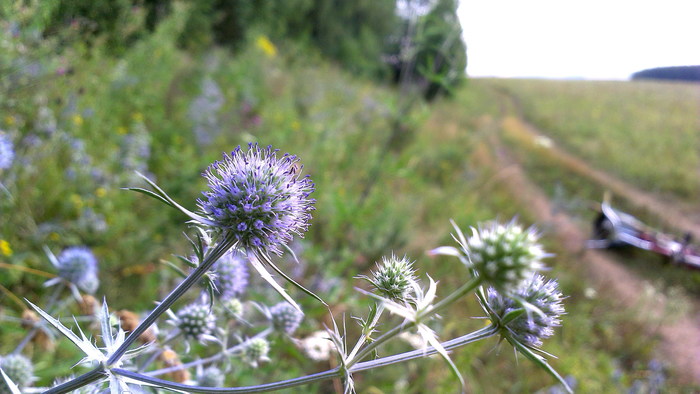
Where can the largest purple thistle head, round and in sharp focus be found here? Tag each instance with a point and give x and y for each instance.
(258, 197)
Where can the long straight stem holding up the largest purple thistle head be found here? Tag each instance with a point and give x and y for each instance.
(213, 256)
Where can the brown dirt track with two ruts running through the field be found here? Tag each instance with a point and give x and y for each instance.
(680, 338)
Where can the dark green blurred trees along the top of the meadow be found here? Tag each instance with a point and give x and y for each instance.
(416, 42)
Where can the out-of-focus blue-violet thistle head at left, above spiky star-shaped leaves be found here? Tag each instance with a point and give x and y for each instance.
(78, 265)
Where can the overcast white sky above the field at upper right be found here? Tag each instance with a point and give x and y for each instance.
(593, 39)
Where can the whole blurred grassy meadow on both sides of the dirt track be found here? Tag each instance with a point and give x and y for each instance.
(390, 172)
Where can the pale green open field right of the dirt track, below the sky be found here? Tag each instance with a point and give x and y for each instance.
(644, 132)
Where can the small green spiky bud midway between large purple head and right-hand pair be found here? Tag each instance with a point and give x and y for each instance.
(393, 278)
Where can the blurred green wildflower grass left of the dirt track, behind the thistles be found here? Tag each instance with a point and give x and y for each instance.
(390, 173)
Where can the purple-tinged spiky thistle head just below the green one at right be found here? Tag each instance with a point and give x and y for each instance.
(532, 327)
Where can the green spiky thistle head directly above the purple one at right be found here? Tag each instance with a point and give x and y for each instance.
(504, 255)
